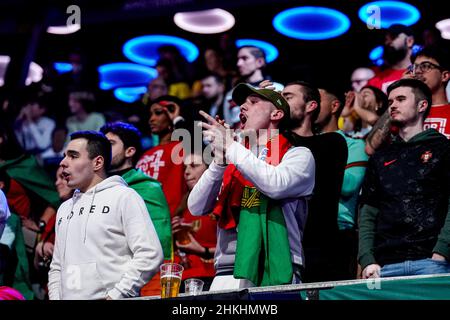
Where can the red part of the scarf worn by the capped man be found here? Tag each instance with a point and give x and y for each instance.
(229, 204)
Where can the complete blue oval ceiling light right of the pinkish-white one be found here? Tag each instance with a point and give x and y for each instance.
(311, 23)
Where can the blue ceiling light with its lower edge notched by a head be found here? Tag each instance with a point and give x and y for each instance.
(144, 49)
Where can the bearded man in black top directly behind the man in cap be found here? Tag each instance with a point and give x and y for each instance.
(330, 154)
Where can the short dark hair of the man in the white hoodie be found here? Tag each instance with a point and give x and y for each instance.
(97, 145)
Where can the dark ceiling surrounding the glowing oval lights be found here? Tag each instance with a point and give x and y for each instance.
(106, 25)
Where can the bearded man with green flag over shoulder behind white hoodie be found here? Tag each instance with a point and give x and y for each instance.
(126, 149)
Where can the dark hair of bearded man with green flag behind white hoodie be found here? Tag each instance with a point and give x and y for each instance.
(129, 134)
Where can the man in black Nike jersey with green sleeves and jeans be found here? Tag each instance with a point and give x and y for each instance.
(404, 222)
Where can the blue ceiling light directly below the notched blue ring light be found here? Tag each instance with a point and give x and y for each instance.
(121, 74)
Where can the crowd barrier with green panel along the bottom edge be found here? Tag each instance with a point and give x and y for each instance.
(429, 287)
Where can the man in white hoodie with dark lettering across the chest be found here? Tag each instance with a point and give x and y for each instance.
(106, 246)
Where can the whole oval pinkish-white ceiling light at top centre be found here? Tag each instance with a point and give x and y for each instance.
(205, 21)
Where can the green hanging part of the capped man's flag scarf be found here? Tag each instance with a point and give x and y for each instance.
(262, 254)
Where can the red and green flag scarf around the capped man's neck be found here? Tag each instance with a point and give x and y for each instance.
(263, 253)
